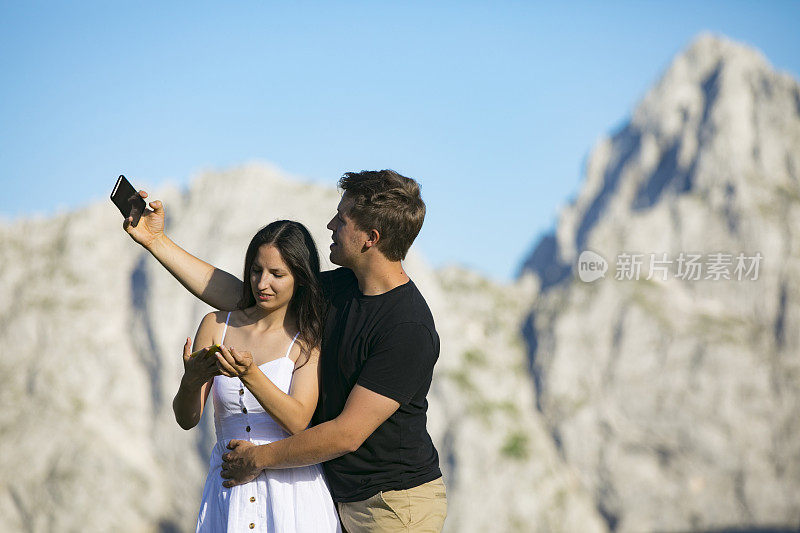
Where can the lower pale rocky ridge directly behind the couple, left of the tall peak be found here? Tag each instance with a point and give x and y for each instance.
(93, 329)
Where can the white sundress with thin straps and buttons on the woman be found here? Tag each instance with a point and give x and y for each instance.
(285, 500)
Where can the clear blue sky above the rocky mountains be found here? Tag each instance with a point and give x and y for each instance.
(492, 106)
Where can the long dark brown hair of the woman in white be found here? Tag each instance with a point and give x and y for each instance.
(299, 252)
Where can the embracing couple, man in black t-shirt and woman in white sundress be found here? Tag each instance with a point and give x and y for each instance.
(354, 348)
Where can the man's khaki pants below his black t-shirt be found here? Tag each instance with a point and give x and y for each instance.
(421, 509)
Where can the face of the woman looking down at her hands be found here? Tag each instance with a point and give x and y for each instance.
(271, 280)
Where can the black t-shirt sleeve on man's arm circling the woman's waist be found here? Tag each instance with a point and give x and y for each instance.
(400, 363)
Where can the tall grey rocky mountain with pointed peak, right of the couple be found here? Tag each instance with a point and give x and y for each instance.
(677, 398)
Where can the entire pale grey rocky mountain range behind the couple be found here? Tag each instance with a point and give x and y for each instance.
(587, 396)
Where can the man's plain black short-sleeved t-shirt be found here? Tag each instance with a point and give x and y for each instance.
(387, 344)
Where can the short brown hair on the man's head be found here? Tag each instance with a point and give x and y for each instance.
(388, 202)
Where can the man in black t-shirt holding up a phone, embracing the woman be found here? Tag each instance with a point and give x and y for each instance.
(378, 351)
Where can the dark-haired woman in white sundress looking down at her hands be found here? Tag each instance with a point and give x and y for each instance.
(264, 386)
